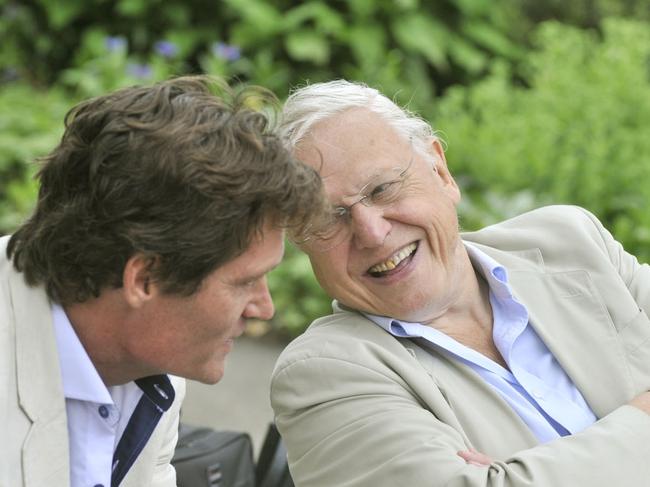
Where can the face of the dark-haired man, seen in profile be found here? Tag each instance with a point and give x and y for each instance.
(190, 336)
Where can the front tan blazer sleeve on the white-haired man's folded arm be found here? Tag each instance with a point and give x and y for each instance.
(348, 424)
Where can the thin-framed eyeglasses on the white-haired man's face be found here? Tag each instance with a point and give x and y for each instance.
(382, 191)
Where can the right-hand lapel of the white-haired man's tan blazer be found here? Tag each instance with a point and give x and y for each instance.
(571, 319)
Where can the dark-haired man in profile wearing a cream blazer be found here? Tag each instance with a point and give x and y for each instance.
(158, 216)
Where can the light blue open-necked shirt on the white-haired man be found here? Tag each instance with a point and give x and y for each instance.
(536, 386)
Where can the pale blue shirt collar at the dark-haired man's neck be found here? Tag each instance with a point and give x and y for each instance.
(81, 380)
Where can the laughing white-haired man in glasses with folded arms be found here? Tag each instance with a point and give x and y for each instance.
(518, 355)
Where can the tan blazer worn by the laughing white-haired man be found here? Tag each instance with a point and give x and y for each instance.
(358, 407)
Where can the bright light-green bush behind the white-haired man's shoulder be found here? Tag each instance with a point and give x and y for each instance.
(575, 133)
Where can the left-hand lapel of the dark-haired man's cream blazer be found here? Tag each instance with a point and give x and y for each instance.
(40, 392)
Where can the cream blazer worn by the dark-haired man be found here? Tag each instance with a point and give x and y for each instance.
(33, 427)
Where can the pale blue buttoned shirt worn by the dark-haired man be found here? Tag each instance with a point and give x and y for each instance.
(97, 415)
